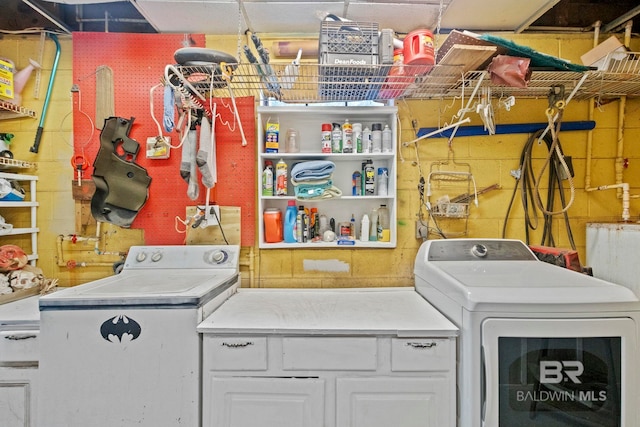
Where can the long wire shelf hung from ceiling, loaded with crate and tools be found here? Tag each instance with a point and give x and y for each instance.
(312, 83)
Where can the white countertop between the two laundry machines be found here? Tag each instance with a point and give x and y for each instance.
(368, 311)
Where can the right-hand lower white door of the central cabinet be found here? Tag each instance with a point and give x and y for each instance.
(384, 402)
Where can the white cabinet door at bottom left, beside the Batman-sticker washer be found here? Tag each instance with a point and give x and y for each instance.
(17, 397)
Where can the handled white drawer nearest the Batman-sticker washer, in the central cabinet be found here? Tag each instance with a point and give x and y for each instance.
(235, 353)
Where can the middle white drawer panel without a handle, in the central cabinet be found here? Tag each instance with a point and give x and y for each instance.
(311, 353)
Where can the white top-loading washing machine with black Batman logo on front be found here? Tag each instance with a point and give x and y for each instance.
(124, 350)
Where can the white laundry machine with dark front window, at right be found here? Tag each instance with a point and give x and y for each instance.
(539, 345)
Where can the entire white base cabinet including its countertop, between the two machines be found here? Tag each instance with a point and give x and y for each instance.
(346, 358)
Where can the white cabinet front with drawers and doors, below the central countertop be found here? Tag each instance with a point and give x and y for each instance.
(317, 381)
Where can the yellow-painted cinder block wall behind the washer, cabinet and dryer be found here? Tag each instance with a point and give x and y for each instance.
(490, 158)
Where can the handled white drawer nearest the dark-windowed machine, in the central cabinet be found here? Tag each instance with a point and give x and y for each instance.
(422, 354)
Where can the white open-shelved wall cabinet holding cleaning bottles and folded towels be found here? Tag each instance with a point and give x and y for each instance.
(308, 120)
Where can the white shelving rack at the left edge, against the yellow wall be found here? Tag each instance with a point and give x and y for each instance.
(30, 203)
